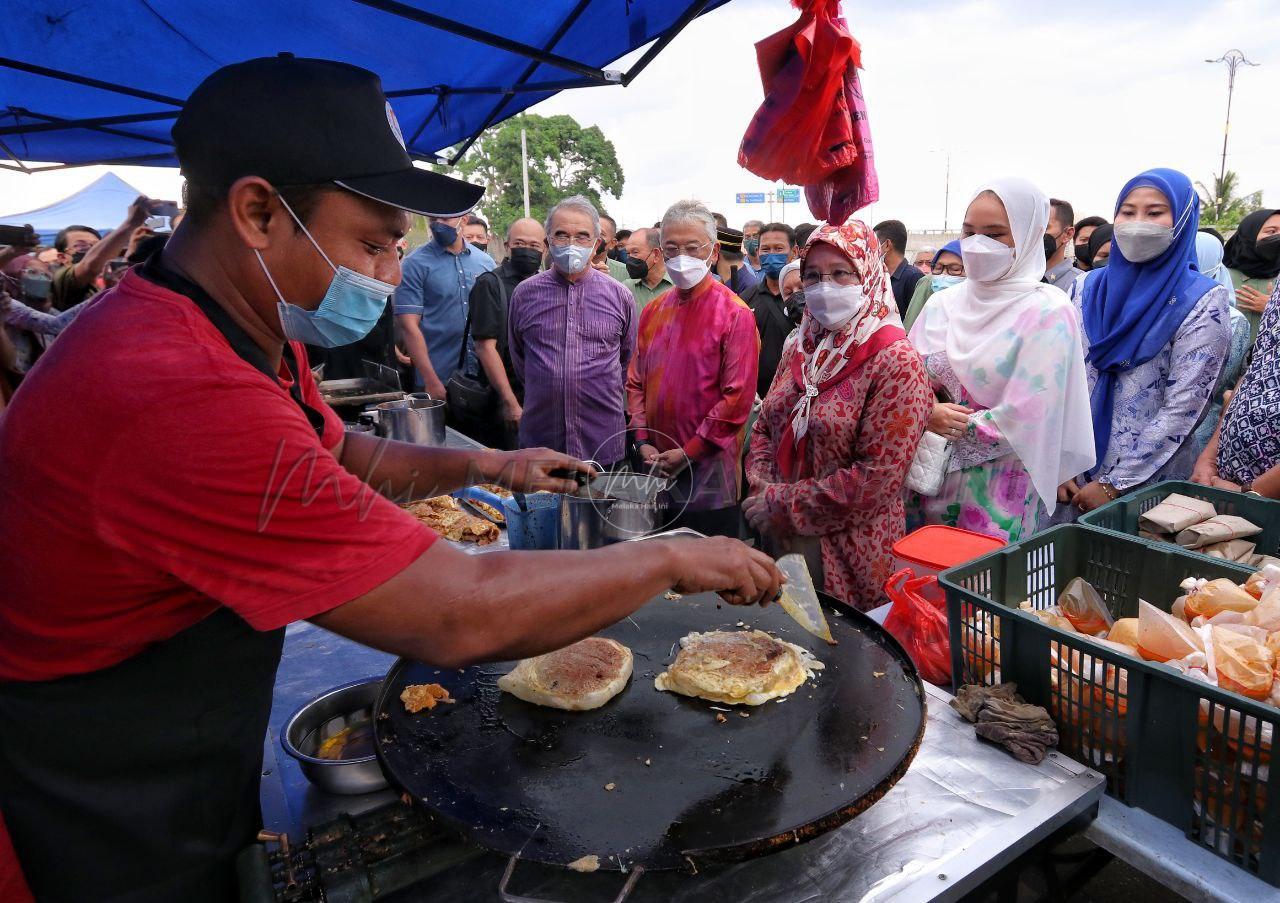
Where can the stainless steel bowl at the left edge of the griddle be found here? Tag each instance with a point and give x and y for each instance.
(348, 706)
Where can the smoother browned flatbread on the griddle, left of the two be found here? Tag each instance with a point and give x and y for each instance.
(578, 678)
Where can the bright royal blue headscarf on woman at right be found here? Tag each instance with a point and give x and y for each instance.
(1133, 311)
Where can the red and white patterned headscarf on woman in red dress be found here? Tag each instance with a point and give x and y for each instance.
(828, 357)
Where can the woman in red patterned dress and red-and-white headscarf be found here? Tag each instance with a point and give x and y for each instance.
(840, 425)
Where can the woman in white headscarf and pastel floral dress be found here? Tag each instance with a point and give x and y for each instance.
(1004, 353)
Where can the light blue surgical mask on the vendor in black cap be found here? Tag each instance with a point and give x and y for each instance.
(348, 313)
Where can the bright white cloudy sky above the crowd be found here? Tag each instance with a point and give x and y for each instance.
(1076, 97)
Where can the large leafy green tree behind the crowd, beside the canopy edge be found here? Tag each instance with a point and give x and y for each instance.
(564, 159)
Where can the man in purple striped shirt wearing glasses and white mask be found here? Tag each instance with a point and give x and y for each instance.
(572, 335)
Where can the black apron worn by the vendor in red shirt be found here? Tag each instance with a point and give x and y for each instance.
(140, 782)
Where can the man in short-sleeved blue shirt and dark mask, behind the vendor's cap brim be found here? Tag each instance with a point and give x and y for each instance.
(432, 302)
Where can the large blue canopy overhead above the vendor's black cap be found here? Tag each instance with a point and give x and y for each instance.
(85, 84)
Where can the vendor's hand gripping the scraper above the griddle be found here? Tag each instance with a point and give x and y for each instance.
(740, 574)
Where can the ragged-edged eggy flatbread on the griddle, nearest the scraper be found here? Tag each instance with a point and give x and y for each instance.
(738, 668)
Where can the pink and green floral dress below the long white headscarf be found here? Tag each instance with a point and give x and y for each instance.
(988, 490)
